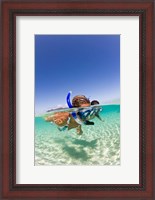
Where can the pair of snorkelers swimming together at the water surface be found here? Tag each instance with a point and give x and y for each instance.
(86, 111)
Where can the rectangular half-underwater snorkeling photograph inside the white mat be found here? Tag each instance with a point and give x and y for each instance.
(77, 100)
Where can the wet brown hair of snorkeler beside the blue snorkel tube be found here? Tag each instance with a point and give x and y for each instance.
(78, 100)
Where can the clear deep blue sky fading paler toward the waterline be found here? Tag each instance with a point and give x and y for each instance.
(83, 64)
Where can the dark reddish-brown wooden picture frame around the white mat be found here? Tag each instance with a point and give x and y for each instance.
(10, 9)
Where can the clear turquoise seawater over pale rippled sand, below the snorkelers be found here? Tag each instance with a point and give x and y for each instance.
(98, 145)
